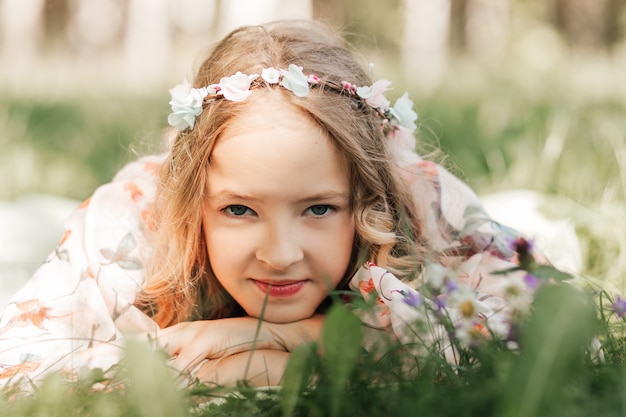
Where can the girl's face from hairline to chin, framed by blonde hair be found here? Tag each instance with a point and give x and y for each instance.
(277, 220)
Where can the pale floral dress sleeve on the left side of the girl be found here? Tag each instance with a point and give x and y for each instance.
(76, 309)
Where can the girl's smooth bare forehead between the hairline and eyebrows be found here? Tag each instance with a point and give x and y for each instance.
(277, 145)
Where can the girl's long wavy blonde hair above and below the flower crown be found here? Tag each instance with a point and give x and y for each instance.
(180, 284)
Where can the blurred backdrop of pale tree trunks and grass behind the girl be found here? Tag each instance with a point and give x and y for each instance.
(516, 94)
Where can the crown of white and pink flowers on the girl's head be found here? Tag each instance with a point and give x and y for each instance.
(187, 102)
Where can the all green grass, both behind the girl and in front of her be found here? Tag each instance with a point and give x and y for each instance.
(501, 135)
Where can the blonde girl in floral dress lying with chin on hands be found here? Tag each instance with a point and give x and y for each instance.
(289, 175)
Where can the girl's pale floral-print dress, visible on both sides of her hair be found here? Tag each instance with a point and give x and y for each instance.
(79, 306)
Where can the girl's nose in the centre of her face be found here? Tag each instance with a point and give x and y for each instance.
(280, 248)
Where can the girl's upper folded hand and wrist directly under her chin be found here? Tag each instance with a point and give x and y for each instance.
(189, 343)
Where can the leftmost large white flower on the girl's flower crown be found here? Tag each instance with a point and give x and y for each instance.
(186, 105)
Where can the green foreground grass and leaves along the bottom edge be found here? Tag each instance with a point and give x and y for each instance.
(553, 375)
